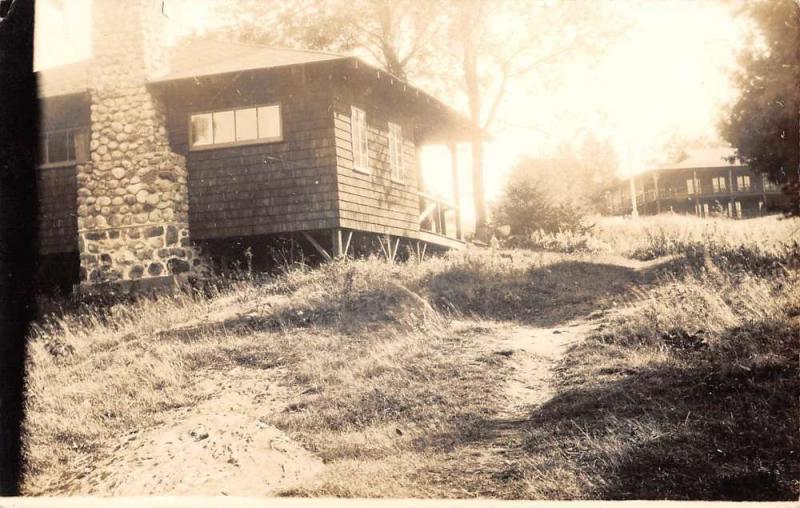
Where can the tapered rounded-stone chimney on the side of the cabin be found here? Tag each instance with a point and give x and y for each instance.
(132, 193)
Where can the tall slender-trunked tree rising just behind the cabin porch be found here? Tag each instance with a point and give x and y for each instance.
(503, 41)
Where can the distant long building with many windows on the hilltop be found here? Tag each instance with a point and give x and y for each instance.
(704, 184)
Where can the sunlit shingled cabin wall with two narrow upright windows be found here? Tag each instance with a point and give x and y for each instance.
(373, 201)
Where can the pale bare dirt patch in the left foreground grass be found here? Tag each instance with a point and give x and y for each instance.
(220, 446)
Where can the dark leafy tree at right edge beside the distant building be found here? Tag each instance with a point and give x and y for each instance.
(764, 123)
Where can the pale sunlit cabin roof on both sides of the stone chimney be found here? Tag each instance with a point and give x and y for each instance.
(188, 59)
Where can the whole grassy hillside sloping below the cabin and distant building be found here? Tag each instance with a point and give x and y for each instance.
(684, 383)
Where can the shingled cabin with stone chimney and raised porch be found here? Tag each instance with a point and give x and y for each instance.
(156, 161)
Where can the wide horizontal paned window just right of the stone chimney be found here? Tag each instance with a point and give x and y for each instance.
(248, 125)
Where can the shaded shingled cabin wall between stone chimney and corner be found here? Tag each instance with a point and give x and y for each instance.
(263, 188)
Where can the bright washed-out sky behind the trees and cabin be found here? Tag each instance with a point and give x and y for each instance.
(667, 75)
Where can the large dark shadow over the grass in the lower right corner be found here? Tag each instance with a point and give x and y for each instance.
(702, 428)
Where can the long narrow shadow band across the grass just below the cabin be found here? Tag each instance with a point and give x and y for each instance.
(541, 296)
